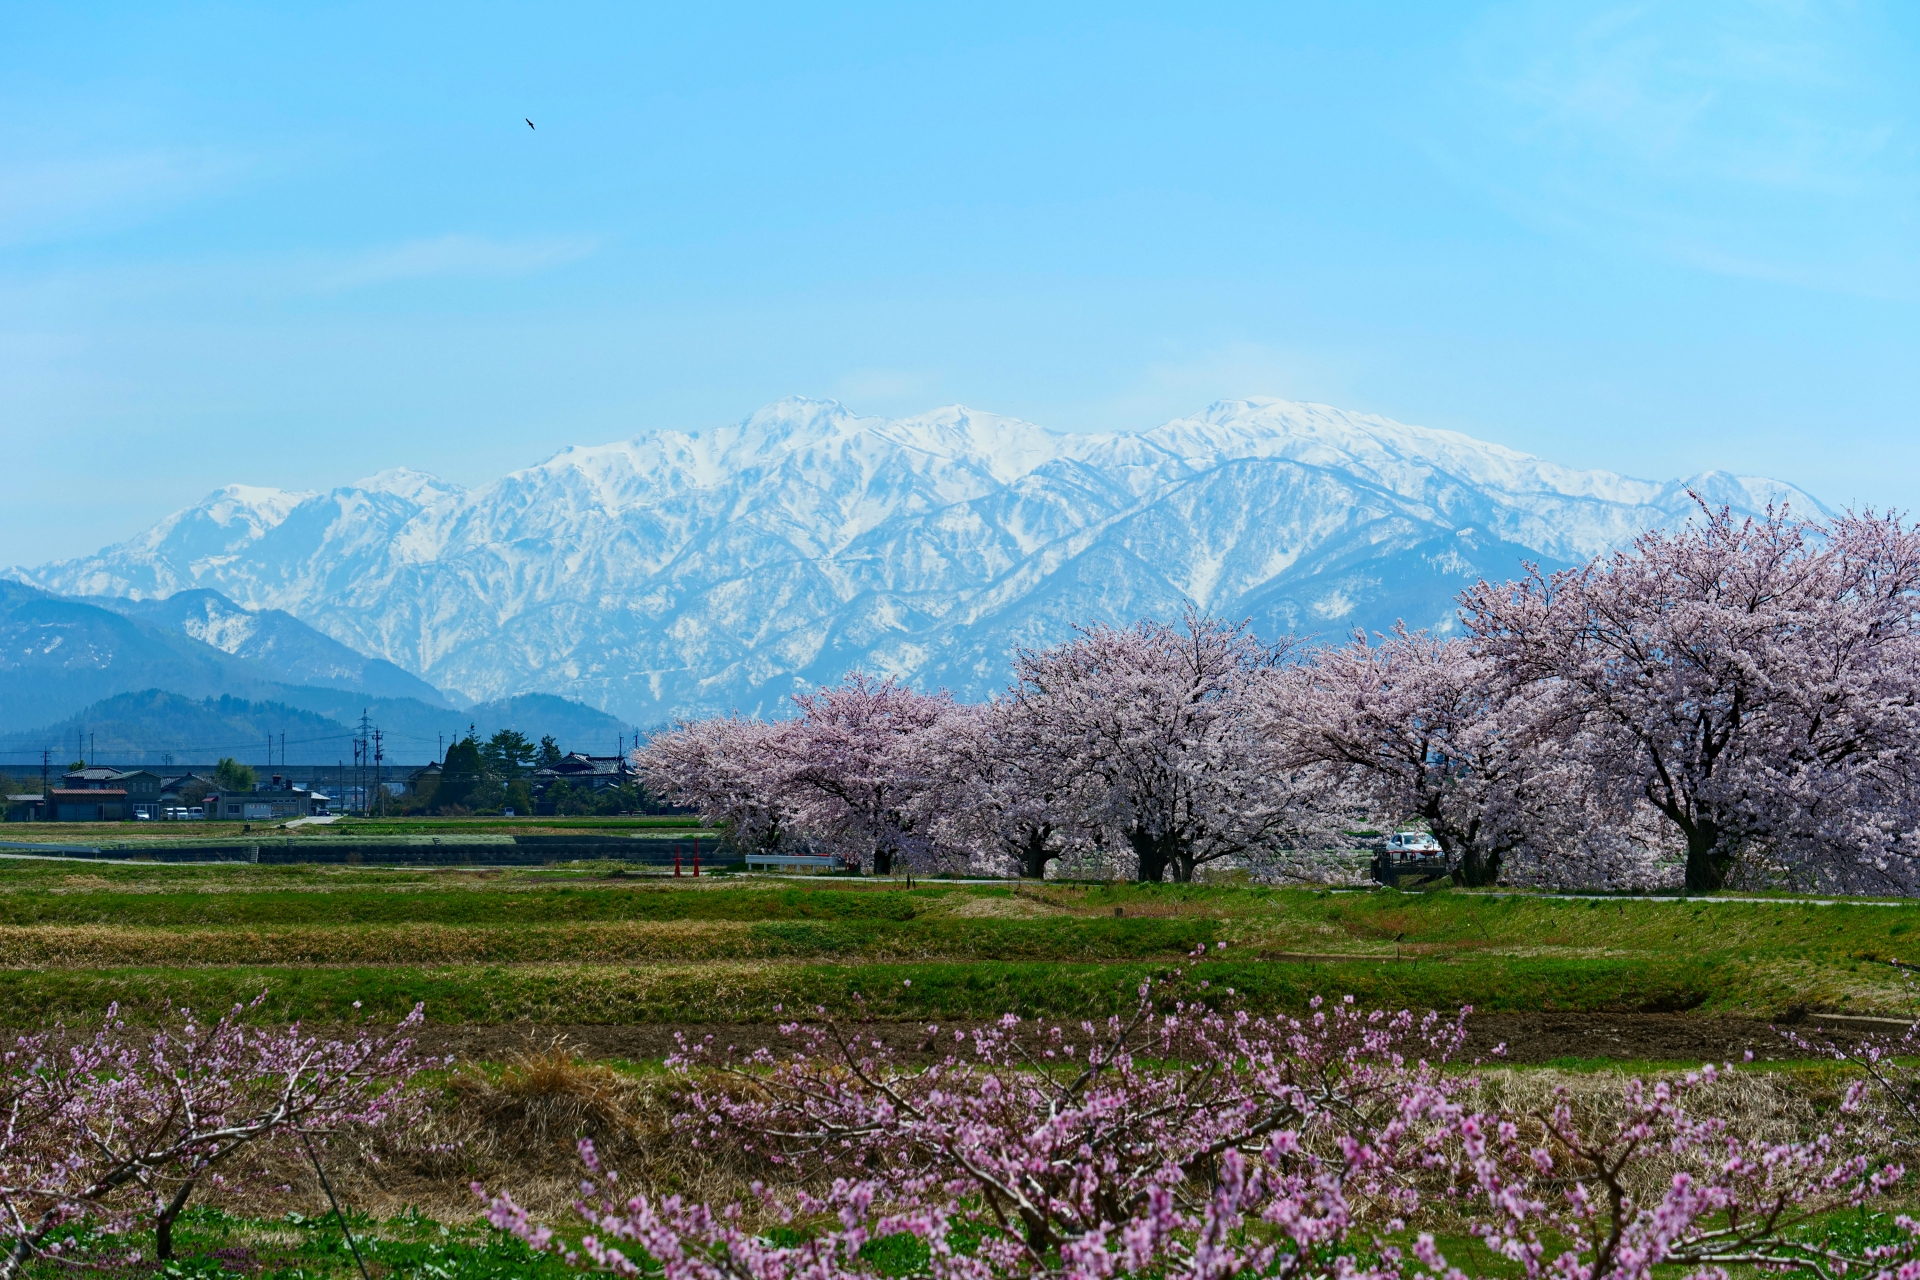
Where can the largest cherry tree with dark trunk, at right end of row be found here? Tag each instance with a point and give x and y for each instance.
(1752, 680)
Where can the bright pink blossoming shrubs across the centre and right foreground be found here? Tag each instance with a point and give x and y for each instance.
(1209, 1145)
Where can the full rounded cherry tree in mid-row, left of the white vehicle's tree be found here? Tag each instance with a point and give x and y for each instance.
(1157, 734)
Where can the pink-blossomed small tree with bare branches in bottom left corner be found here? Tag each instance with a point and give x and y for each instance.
(126, 1127)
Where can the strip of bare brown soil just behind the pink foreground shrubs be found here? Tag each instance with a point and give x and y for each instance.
(1527, 1037)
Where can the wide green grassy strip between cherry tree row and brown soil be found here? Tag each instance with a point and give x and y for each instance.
(588, 945)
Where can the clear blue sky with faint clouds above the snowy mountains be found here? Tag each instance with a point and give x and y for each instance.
(295, 245)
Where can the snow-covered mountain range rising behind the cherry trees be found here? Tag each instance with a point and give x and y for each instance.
(721, 569)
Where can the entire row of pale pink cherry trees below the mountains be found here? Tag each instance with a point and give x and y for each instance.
(1739, 698)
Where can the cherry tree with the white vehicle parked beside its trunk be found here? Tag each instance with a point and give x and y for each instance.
(1428, 728)
